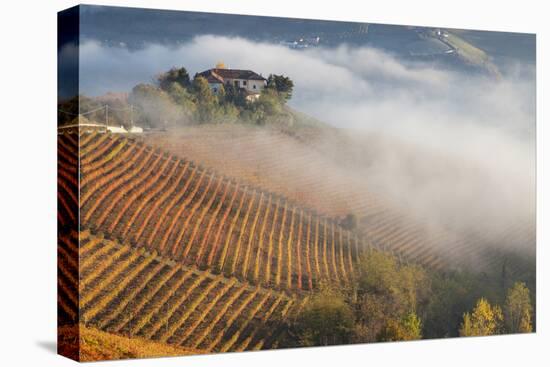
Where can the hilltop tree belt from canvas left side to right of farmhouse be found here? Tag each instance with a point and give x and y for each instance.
(174, 99)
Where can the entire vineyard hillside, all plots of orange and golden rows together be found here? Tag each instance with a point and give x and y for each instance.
(158, 251)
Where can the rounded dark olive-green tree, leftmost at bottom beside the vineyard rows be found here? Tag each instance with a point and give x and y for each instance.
(326, 320)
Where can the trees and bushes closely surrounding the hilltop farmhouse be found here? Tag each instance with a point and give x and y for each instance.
(175, 99)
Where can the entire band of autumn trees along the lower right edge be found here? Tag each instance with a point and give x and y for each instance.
(392, 302)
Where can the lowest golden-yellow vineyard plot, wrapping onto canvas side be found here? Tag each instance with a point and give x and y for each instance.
(134, 293)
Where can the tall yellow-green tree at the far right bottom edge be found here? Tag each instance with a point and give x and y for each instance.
(517, 309)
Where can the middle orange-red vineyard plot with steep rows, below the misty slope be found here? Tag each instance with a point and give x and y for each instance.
(192, 215)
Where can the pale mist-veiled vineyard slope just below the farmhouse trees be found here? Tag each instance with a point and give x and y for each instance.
(290, 165)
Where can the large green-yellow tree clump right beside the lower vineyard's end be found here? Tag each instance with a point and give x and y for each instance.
(382, 305)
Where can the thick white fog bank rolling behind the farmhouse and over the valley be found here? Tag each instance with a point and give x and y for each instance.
(454, 150)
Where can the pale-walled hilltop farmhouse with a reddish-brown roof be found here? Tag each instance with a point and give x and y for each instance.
(246, 80)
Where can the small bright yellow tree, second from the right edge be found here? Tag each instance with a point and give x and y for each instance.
(485, 319)
